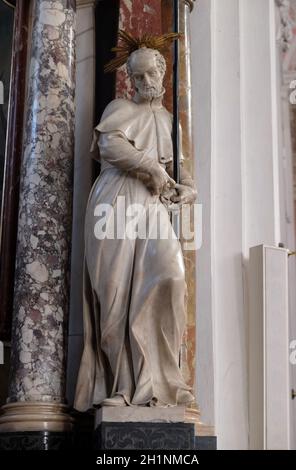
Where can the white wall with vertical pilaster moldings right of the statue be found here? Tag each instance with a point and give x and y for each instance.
(236, 131)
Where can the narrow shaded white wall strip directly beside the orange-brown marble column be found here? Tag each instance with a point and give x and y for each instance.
(201, 72)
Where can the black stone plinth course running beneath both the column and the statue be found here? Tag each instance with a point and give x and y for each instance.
(108, 436)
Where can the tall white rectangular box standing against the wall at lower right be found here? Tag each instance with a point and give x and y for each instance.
(269, 388)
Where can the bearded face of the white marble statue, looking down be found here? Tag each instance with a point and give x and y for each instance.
(147, 76)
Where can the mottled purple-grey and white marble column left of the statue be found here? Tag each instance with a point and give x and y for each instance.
(37, 383)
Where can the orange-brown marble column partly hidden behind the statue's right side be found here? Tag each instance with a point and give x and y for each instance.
(205, 434)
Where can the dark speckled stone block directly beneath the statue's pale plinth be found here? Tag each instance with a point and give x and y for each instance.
(144, 436)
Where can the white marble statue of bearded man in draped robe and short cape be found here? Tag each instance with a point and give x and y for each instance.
(134, 287)
